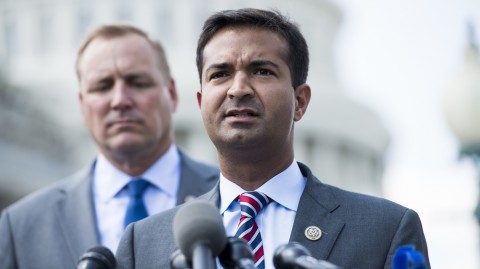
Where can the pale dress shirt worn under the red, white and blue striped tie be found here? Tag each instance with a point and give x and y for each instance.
(275, 221)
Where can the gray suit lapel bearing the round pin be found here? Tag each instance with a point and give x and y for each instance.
(316, 209)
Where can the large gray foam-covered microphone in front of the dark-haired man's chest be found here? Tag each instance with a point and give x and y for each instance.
(199, 233)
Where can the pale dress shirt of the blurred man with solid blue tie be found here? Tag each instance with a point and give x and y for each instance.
(111, 198)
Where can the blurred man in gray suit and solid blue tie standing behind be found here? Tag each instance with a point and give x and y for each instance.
(127, 97)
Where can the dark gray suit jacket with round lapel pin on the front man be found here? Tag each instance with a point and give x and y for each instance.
(359, 231)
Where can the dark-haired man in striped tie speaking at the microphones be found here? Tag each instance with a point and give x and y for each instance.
(253, 67)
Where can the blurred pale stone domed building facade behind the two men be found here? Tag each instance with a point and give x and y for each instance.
(42, 137)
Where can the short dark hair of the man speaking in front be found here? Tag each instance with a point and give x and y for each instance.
(297, 55)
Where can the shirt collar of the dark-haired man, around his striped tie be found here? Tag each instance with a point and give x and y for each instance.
(286, 188)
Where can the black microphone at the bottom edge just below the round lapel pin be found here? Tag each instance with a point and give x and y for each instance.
(295, 256)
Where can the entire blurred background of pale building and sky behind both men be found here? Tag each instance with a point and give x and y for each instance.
(396, 95)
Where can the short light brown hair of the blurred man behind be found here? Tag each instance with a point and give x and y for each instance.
(109, 31)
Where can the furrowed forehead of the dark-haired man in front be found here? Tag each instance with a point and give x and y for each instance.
(244, 44)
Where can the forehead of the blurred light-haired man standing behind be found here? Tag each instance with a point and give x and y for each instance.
(130, 51)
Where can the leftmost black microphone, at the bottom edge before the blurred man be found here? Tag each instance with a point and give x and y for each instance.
(98, 257)
